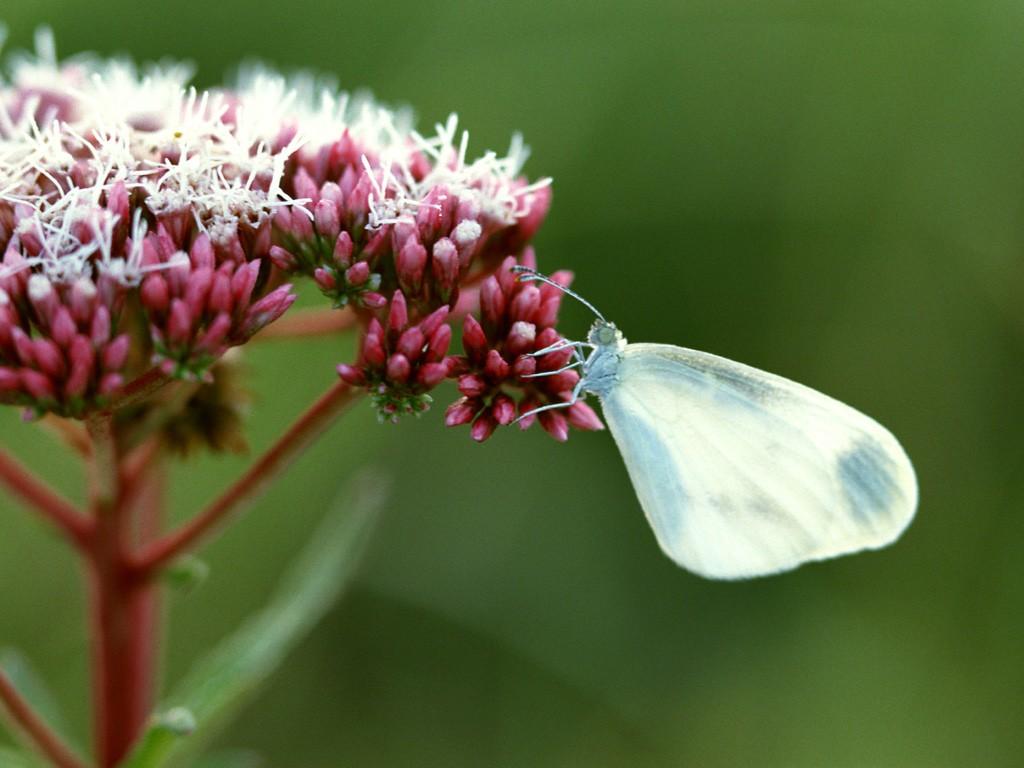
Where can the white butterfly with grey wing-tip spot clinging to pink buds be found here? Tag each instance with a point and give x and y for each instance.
(742, 473)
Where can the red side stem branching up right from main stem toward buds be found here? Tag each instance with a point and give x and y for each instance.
(303, 433)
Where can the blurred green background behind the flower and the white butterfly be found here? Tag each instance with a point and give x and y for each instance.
(829, 190)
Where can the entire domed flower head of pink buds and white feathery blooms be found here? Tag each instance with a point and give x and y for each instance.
(146, 224)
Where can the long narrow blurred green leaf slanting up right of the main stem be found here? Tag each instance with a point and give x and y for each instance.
(226, 680)
